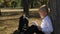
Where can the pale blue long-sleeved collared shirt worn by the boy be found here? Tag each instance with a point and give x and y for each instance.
(46, 25)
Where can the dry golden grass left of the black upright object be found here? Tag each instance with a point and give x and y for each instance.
(8, 26)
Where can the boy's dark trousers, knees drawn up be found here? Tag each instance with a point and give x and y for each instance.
(33, 29)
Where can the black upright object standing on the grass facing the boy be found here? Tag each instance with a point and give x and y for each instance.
(23, 23)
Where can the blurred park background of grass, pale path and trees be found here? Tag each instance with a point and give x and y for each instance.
(11, 10)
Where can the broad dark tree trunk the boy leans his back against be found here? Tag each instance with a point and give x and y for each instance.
(55, 14)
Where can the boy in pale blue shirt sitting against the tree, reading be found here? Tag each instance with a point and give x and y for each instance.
(46, 24)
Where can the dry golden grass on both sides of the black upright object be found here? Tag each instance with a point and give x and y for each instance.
(9, 26)
